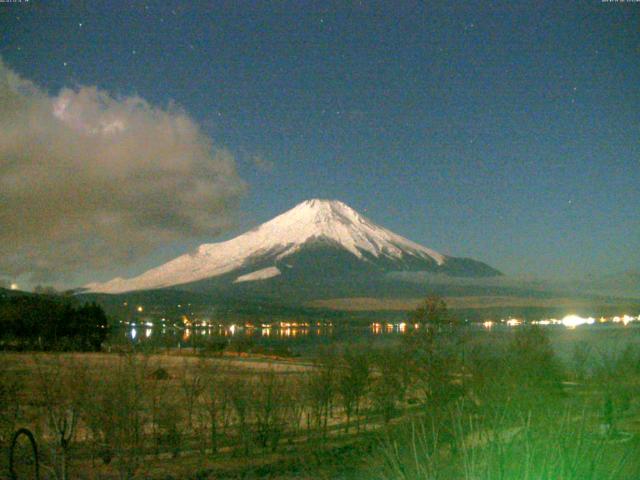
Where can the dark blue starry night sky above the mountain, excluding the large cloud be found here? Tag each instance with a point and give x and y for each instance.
(508, 132)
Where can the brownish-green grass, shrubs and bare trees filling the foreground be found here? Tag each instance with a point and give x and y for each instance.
(440, 404)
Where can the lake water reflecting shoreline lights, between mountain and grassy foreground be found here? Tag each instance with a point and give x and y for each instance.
(600, 339)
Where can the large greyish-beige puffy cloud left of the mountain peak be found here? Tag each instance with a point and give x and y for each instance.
(89, 180)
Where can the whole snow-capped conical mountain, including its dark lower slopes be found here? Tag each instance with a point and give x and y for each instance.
(318, 246)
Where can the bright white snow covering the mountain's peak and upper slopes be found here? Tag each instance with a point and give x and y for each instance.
(282, 236)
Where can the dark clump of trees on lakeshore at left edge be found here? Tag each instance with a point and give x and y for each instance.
(47, 322)
